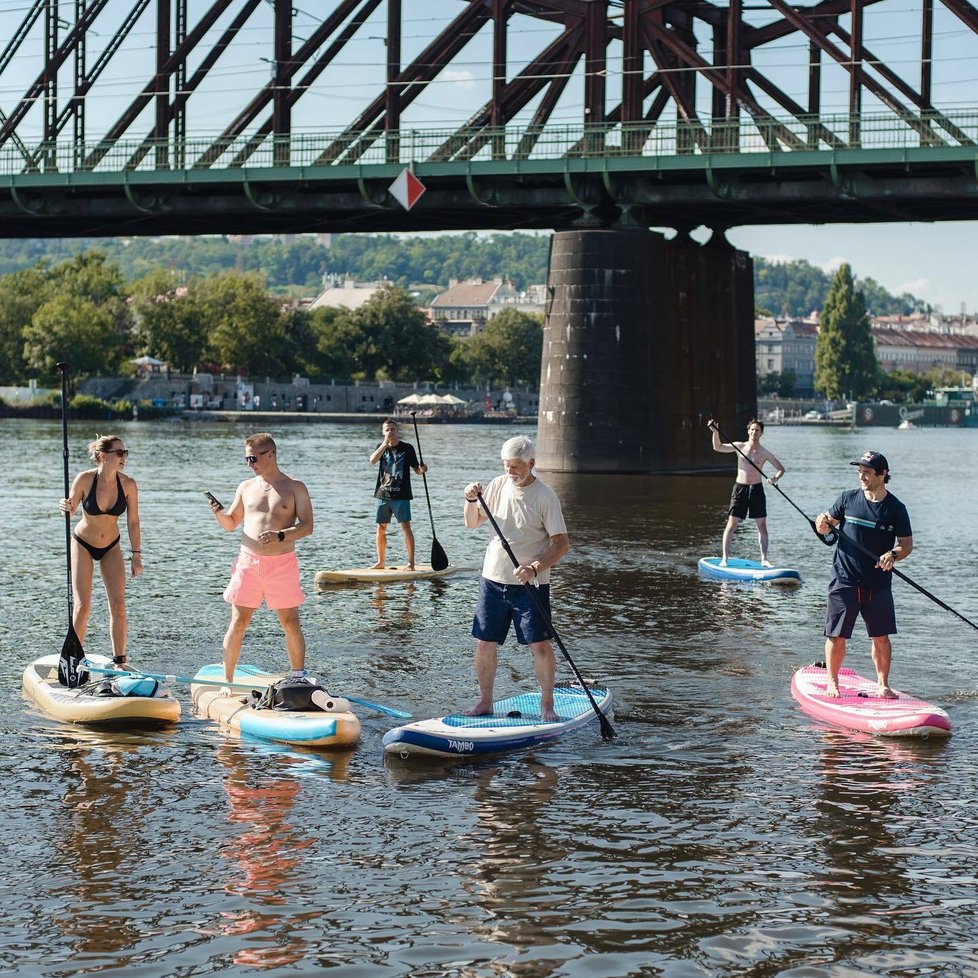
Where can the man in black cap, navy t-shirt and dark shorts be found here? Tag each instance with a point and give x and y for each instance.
(869, 519)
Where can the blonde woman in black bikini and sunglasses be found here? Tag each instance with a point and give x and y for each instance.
(104, 494)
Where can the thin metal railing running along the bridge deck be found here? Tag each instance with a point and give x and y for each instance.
(513, 144)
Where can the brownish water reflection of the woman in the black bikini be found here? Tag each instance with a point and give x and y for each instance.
(96, 804)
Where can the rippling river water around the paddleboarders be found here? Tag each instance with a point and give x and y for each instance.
(723, 833)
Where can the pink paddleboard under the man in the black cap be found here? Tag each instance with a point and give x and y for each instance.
(859, 707)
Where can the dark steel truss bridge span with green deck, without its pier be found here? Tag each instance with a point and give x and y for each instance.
(680, 115)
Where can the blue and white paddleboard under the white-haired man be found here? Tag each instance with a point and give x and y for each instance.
(514, 722)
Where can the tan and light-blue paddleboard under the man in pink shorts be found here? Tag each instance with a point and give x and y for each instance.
(236, 714)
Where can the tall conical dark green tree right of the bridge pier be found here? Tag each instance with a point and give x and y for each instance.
(845, 360)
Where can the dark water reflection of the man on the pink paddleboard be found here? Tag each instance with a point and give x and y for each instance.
(863, 779)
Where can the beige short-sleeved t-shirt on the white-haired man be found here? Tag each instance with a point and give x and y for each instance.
(528, 518)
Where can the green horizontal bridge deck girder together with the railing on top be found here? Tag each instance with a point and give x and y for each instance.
(608, 177)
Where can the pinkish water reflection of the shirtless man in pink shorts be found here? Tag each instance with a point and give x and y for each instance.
(266, 853)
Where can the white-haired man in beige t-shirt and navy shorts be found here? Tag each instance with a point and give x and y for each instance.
(529, 516)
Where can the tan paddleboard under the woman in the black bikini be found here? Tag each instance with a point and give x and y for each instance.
(86, 704)
